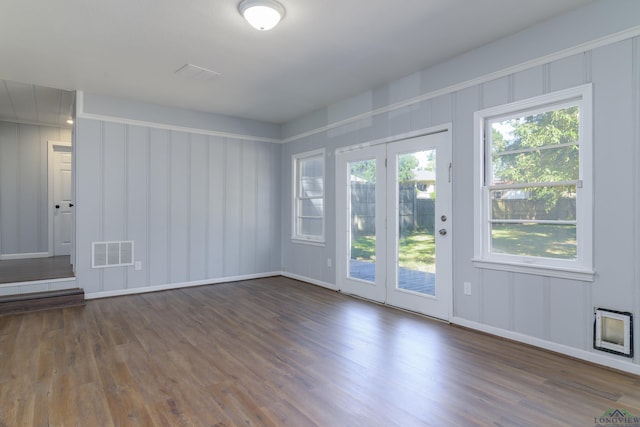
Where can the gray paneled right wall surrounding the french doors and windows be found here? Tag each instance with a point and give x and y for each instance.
(528, 307)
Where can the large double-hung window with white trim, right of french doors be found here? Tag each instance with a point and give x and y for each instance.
(534, 187)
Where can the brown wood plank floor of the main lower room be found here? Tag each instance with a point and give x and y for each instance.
(277, 352)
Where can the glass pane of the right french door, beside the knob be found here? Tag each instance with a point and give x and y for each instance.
(416, 263)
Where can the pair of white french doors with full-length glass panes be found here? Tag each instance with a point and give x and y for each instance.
(394, 223)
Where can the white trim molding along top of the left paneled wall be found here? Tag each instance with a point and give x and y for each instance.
(143, 123)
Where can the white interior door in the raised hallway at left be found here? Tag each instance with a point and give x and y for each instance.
(62, 200)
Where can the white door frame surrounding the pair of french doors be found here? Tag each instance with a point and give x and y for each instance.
(341, 255)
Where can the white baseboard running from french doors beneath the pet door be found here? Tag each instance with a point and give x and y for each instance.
(611, 361)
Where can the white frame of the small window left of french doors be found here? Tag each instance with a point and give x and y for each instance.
(296, 160)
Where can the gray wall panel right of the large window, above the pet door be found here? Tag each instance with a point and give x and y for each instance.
(614, 169)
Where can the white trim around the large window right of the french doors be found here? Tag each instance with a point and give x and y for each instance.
(582, 267)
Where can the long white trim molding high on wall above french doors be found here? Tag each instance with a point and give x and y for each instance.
(545, 59)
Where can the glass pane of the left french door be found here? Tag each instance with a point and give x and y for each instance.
(362, 212)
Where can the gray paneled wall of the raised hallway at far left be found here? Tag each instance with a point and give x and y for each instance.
(24, 214)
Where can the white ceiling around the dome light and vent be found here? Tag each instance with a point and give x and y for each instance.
(322, 51)
